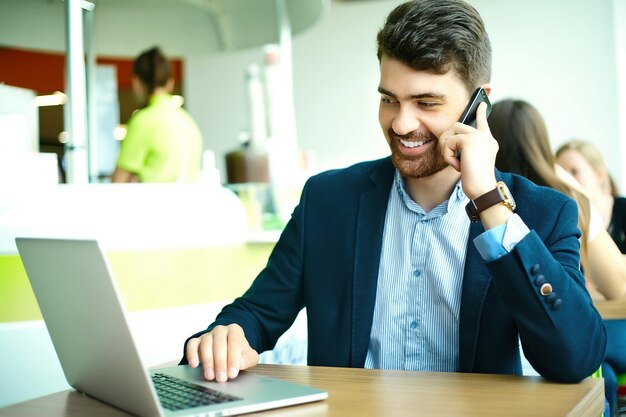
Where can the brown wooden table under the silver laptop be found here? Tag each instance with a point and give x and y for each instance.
(361, 392)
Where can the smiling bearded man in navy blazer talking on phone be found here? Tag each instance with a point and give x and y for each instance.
(384, 257)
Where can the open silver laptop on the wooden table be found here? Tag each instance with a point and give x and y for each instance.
(85, 316)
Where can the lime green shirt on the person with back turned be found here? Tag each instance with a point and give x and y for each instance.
(162, 143)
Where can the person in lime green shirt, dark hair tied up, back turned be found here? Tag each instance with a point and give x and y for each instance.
(163, 142)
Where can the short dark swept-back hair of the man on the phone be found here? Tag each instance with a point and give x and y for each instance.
(438, 36)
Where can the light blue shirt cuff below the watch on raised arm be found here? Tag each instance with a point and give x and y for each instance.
(499, 241)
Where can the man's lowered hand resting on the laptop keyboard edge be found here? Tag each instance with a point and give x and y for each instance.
(223, 352)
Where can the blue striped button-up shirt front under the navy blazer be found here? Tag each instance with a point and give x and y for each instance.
(416, 317)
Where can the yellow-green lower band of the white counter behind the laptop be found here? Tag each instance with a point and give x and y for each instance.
(151, 279)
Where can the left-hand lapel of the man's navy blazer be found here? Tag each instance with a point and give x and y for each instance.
(368, 246)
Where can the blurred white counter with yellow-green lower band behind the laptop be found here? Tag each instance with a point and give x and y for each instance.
(169, 244)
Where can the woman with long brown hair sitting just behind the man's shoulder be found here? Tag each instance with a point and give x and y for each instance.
(525, 149)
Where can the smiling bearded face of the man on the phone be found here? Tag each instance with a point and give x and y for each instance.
(416, 107)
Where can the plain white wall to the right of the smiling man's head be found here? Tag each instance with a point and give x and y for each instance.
(560, 56)
